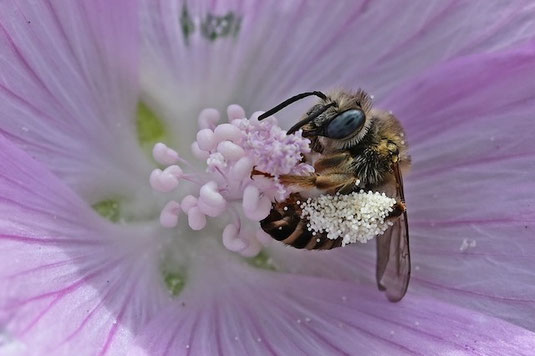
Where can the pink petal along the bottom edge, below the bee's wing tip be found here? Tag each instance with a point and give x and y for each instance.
(244, 312)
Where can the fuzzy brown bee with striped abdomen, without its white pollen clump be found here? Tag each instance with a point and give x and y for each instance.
(354, 146)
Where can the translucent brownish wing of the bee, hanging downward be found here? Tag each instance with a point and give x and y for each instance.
(393, 255)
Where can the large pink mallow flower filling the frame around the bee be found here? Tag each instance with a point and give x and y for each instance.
(87, 88)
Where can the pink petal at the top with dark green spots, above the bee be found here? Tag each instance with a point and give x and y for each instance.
(283, 48)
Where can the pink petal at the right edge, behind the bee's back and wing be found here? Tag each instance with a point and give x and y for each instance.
(470, 123)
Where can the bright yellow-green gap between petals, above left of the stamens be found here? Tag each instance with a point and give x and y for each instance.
(150, 129)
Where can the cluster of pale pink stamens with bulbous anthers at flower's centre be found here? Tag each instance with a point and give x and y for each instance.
(231, 151)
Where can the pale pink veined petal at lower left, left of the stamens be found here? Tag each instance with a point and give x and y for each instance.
(69, 280)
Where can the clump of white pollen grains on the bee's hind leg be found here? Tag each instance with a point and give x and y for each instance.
(356, 217)
